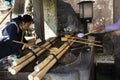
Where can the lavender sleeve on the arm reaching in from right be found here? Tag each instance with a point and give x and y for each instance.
(113, 27)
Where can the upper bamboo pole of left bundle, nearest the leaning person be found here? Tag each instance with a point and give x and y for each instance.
(15, 63)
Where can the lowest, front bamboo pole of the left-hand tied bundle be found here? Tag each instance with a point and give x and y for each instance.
(17, 68)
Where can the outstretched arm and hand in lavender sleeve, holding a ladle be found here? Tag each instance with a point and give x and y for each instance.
(114, 28)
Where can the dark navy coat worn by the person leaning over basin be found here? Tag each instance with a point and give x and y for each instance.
(10, 47)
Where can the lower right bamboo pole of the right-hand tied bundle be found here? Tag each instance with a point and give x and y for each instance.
(42, 73)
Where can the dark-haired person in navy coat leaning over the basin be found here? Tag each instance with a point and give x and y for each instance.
(9, 47)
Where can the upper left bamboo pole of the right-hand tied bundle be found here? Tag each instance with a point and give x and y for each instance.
(49, 58)
